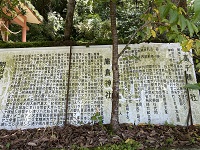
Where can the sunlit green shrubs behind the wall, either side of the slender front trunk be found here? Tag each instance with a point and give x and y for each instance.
(92, 22)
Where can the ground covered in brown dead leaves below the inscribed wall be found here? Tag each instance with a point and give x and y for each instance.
(149, 136)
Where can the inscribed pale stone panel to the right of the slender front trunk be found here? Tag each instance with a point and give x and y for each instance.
(151, 85)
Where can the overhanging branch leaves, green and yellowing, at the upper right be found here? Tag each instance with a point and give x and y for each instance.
(167, 20)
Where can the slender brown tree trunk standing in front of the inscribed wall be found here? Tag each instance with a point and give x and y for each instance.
(115, 68)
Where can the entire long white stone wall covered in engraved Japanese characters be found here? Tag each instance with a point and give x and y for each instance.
(34, 81)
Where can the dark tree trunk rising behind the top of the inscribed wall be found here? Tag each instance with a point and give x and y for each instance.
(69, 19)
